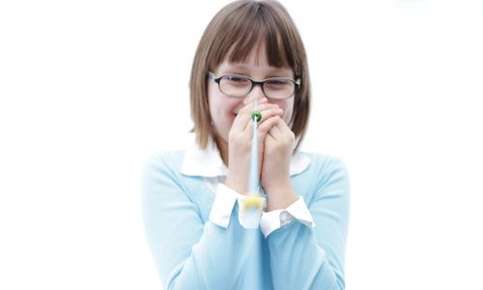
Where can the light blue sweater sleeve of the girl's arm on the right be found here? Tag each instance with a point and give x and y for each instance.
(308, 258)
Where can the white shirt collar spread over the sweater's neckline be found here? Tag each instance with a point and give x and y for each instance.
(208, 163)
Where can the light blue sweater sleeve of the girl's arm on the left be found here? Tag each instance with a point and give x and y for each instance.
(185, 250)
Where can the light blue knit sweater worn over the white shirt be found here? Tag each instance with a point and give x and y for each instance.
(192, 253)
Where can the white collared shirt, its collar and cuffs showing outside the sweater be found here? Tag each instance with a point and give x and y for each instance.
(208, 164)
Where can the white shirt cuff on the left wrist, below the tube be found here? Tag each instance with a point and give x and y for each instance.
(225, 199)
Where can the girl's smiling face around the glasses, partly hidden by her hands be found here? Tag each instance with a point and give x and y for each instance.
(223, 108)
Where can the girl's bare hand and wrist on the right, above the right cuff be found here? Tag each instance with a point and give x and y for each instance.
(279, 144)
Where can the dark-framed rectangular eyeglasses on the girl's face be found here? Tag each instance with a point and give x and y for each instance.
(238, 86)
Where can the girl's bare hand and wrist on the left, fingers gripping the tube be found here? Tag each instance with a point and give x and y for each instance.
(240, 139)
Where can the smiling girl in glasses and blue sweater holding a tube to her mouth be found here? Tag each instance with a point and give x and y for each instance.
(250, 57)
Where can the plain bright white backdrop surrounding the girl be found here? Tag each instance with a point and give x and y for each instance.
(90, 89)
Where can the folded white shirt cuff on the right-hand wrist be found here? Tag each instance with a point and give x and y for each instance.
(273, 220)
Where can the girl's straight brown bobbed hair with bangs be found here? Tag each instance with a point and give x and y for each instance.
(242, 24)
